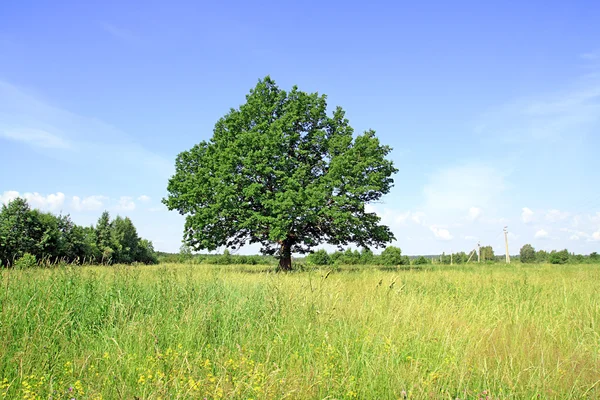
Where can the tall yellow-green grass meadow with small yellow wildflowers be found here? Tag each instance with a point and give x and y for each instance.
(178, 331)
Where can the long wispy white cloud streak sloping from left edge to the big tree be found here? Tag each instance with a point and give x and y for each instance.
(26, 118)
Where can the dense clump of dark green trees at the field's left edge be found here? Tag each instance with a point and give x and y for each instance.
(29, 237)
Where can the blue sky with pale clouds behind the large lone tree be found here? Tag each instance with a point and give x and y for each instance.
(493, 110)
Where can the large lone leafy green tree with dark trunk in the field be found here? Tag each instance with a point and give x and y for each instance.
(280, 172)
